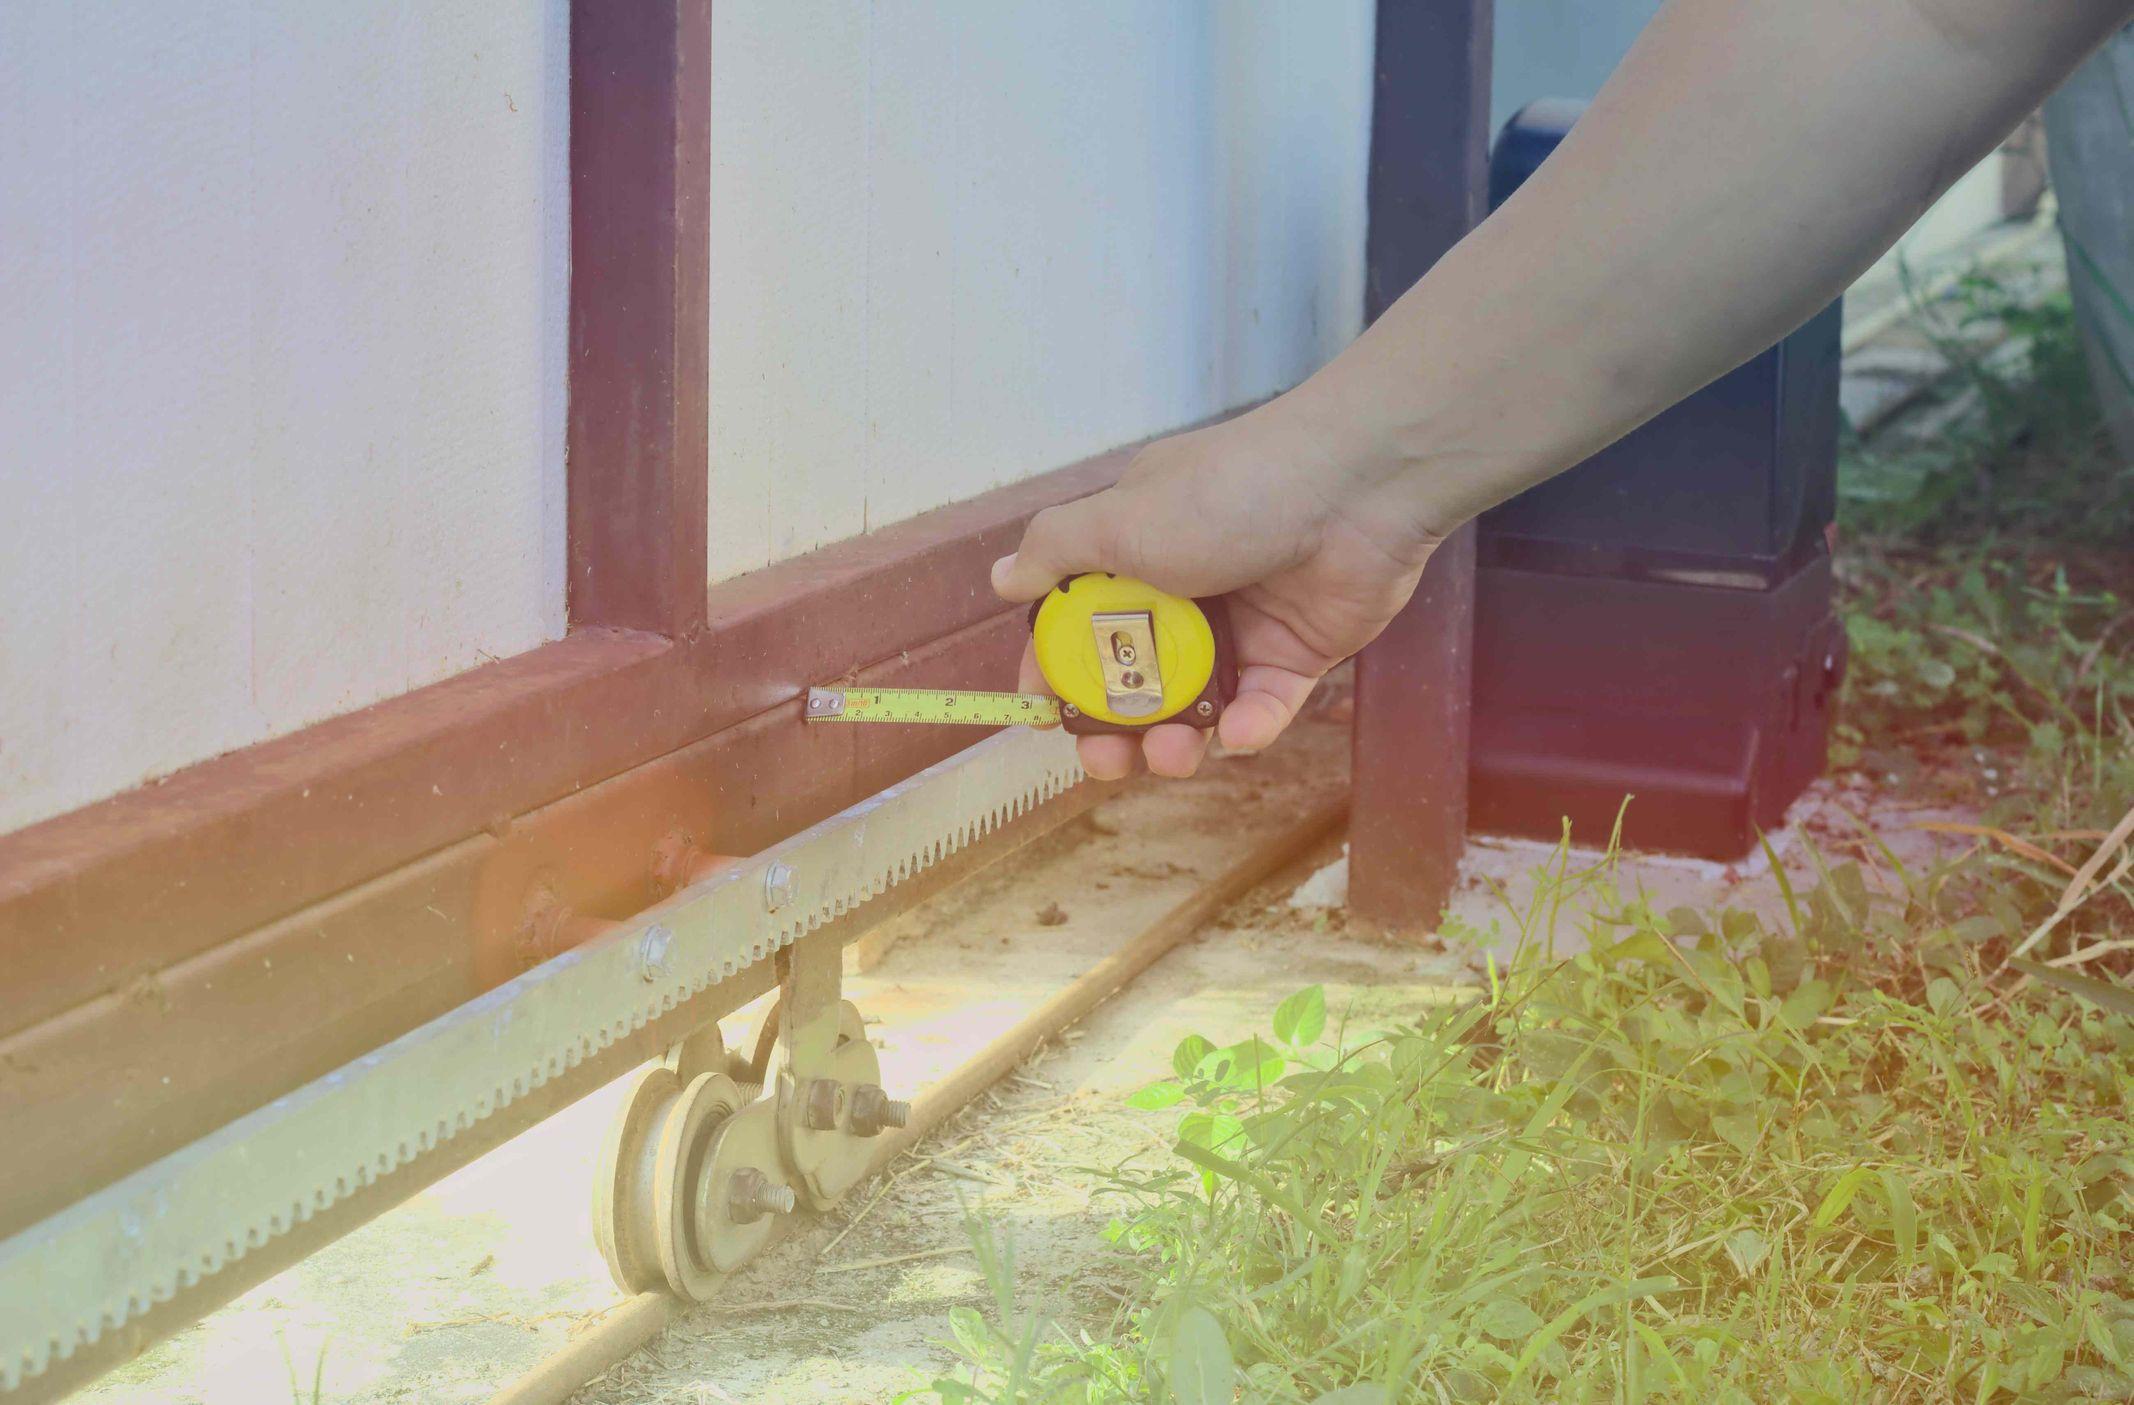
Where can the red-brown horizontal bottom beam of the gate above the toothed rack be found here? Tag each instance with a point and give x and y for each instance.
(185, 953)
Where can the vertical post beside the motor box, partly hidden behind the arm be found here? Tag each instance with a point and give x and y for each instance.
(1429, 185)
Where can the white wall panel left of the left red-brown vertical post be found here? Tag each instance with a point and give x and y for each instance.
(283, 313)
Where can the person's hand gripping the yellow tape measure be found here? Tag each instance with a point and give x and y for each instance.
(1277, 514)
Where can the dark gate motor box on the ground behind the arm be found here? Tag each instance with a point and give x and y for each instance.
(1657, 622)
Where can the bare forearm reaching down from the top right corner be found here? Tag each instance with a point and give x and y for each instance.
(1738, 172)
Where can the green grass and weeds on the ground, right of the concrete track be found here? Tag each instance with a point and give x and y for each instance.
(1873, 1152)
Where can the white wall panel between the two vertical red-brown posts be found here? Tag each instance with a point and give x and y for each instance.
(957, 244)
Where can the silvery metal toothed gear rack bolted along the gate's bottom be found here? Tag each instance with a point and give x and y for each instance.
(136, 1261)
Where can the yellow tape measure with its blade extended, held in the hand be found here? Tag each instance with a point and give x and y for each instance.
(1121, 657)
